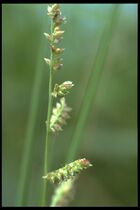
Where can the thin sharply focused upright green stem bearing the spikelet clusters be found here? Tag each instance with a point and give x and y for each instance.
(46, 157)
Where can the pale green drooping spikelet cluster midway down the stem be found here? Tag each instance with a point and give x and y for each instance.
(59, 115)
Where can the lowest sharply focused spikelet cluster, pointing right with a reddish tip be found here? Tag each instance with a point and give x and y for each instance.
(68, 172)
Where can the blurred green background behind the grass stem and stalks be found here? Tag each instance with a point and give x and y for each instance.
(110, 135)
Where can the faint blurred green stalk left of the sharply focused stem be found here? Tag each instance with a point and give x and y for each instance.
(24, 178)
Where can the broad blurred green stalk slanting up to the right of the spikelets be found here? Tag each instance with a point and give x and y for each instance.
(93, 83)
